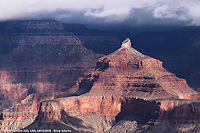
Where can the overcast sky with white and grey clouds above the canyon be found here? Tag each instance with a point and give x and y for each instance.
(128, 12)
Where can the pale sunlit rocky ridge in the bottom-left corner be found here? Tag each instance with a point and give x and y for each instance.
(24, 113)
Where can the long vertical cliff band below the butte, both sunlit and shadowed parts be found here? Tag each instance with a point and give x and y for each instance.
(117, 107)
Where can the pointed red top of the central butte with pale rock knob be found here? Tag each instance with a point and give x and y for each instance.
(127, 56)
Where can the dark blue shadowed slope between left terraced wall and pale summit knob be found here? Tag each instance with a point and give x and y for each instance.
(95, 40)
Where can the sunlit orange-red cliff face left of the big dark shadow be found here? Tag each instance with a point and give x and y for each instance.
(57, 109)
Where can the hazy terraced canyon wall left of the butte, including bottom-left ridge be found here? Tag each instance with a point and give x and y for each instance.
(39, 59)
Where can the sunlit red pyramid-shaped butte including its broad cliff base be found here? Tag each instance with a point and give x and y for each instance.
(126, 91)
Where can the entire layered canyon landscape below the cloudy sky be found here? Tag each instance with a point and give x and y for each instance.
(66, 77)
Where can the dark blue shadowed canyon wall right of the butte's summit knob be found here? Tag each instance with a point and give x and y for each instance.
(178, 49)
